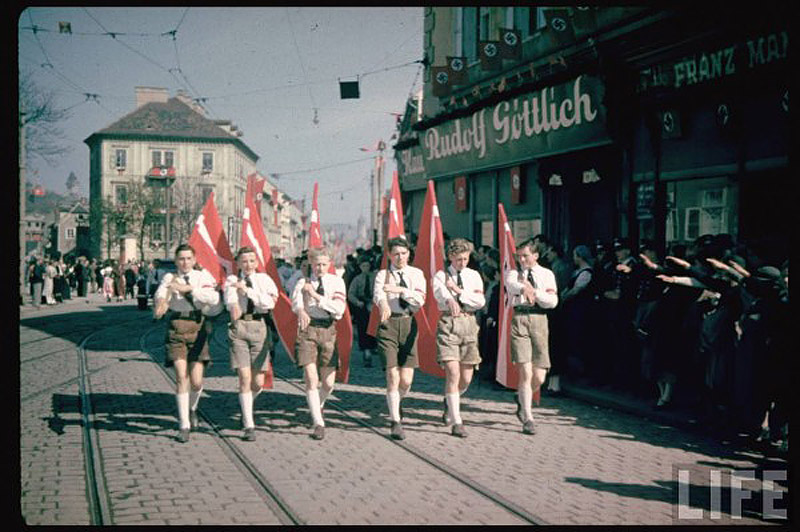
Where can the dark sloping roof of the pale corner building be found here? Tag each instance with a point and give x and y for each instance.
(171, 120)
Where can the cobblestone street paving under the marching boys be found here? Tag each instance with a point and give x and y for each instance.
(585, 465)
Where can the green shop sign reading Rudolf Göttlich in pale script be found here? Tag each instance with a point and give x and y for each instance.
(553, 119)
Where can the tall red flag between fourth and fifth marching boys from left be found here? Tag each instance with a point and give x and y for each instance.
(429, 257)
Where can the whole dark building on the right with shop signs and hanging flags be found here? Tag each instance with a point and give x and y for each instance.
(594, 122)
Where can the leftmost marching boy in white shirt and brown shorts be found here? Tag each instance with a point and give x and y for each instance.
(190, 295)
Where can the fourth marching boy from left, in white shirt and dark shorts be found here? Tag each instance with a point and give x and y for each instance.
(399, 292)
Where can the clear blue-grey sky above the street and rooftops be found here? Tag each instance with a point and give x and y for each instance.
(273, 71)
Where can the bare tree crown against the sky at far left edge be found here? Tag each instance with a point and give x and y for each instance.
(39, 117)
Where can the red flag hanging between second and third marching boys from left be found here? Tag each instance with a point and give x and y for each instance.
(285, 320)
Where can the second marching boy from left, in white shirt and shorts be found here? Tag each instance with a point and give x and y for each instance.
(249, 298)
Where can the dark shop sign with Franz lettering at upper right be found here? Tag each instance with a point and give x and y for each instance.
(718, 63)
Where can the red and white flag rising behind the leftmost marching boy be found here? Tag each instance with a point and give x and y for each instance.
(210, 243)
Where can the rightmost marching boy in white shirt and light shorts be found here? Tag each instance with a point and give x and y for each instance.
(532, 290)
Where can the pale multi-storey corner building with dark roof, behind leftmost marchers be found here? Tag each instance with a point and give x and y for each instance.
(170, 136)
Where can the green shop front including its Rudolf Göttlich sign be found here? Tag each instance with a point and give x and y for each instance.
(508, 153)
